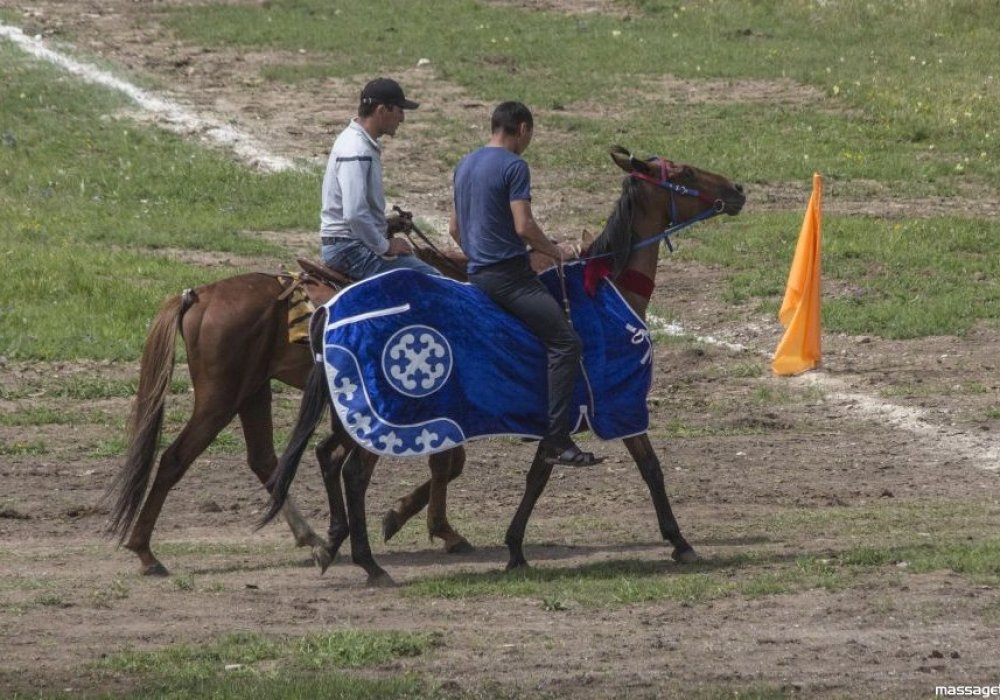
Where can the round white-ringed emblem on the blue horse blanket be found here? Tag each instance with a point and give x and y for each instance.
(417, 360)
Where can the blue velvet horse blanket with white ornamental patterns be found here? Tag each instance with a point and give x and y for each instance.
(419, 364)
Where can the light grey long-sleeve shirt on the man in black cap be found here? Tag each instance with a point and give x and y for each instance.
(353, 199)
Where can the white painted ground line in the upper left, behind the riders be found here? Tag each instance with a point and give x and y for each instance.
(168, 114)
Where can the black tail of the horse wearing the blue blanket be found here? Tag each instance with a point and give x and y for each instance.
(315, 398)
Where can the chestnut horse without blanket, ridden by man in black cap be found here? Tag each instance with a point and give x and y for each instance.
(235, 332)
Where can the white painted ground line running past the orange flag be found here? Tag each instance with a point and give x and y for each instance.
(984, 453)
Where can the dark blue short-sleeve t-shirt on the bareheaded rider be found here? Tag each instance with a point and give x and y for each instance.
(486, 182)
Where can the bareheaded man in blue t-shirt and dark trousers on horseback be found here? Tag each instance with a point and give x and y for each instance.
(493, 223)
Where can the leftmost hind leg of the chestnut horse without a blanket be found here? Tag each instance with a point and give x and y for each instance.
(196, 436)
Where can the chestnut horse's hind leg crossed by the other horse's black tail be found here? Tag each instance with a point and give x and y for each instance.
(258, 432)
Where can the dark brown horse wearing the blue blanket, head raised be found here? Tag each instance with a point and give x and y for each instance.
(656, 195)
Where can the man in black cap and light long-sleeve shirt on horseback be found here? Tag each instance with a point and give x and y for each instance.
(353, 225)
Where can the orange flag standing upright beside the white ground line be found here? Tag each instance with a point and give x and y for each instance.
(799, 349)
